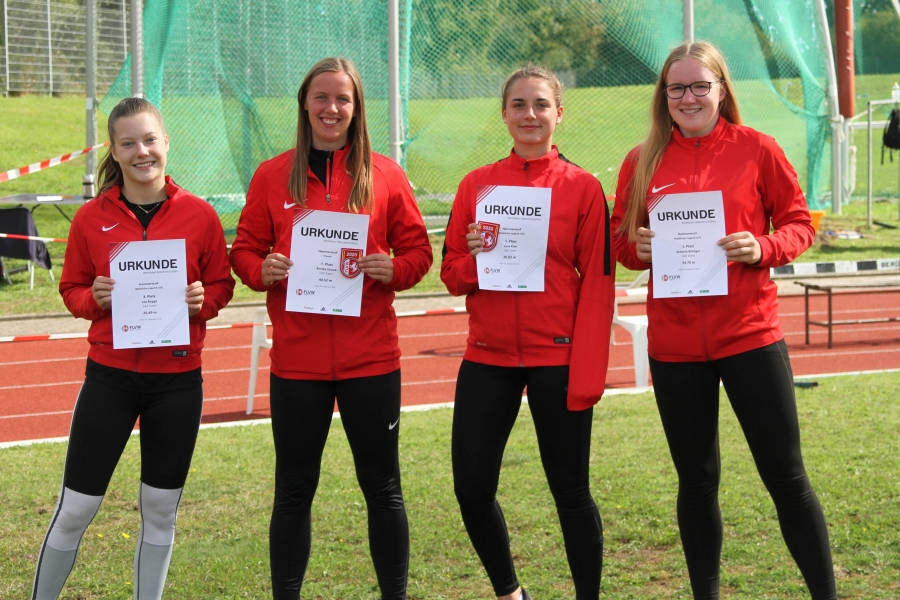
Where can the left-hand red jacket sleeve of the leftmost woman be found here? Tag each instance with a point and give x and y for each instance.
(78, 275)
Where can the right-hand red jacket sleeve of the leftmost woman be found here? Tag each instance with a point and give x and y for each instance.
(215, 270)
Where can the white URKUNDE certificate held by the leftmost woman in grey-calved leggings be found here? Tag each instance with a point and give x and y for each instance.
(148, 307)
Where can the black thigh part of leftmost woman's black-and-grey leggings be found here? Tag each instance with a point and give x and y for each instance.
(102, 423)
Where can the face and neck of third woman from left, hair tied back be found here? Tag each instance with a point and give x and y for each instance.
(531, 115)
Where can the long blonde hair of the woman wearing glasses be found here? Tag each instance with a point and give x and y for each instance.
(661, 123)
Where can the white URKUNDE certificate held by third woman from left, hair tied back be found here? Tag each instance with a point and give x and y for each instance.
(513, 222)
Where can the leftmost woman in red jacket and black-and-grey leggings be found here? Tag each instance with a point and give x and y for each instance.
(161, 386)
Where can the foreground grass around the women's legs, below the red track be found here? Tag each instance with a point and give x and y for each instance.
(851, 448)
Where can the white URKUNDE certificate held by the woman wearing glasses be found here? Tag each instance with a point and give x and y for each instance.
(687, 261)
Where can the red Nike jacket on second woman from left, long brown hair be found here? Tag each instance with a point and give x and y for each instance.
(324, 347)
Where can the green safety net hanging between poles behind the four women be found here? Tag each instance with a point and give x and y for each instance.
(226, 76)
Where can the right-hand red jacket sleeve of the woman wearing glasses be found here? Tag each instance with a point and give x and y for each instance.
(786, 207)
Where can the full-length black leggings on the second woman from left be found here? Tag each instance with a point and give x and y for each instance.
(302, 412)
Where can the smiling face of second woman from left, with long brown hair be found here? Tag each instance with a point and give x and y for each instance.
(331, 107)
